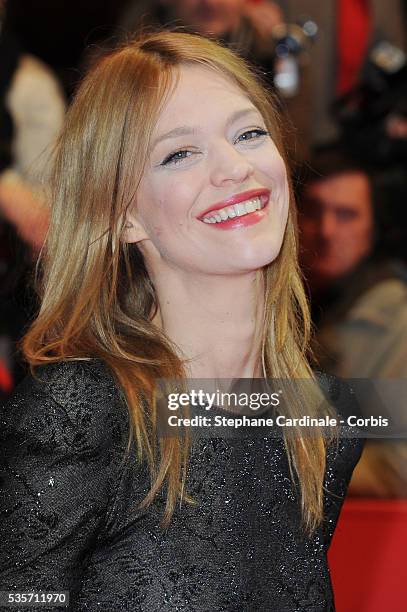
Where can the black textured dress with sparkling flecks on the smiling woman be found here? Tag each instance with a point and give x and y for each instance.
(68, 517)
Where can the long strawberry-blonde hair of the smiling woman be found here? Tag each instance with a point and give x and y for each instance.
(97, 298)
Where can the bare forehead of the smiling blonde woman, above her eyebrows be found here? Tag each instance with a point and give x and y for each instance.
(201, 94)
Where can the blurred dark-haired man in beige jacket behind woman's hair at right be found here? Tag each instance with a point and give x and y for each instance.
(359, 298)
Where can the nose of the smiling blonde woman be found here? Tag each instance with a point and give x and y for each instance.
(229, 166)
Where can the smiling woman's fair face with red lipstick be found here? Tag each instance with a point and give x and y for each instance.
(214, 195)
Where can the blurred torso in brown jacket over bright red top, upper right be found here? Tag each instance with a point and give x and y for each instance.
(339, 60)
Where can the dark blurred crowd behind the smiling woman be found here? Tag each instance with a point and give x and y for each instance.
(339, 72)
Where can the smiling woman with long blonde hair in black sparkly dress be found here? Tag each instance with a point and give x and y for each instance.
(171, 254)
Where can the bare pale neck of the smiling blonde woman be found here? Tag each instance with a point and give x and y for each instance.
(215, 321)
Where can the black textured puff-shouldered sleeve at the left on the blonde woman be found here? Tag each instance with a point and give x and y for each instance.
(61, 444)
